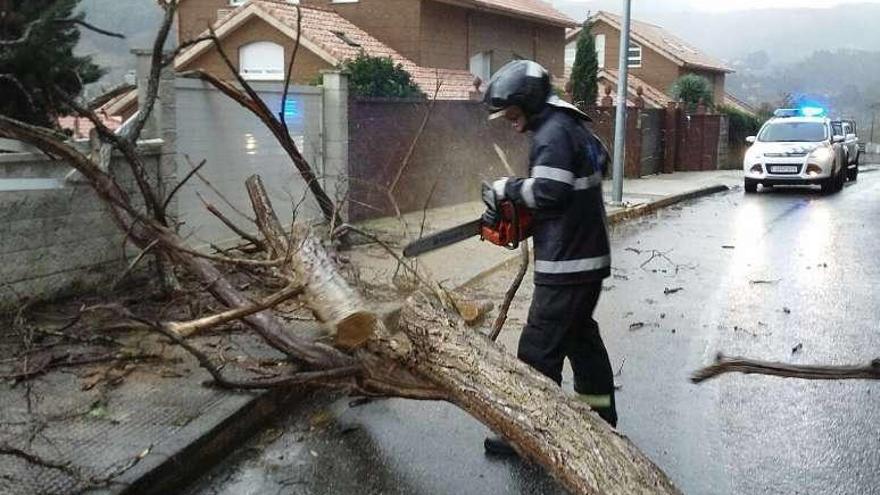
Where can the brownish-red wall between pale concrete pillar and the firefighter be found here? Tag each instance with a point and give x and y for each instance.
(455, 152)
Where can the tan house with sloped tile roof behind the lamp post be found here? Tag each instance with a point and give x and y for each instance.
(656, 58)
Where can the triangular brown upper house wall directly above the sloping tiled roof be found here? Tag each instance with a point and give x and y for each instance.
(393, 22)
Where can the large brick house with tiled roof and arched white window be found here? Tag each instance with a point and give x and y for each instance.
(478, 36)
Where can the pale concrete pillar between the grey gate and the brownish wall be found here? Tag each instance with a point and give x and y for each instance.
(335, 137)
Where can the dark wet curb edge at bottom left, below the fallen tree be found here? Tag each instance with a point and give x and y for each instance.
(208, 440)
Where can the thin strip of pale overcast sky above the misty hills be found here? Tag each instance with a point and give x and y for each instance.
(709, 5)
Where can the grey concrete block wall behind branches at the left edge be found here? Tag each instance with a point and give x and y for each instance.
(56, 237)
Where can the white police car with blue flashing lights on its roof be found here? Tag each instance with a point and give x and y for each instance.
(796, 147)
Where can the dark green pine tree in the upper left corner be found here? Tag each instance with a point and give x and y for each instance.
(37, 63)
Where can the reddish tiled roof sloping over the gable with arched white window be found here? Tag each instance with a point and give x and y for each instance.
(334, 39)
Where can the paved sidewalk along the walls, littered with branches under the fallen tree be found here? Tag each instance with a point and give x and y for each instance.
(158, 426)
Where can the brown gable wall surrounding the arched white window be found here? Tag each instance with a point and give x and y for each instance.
(306, 67)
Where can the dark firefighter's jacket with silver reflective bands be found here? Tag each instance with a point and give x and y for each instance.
(564, 192)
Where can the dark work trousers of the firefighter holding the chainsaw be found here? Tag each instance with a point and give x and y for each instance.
(561, 325)
